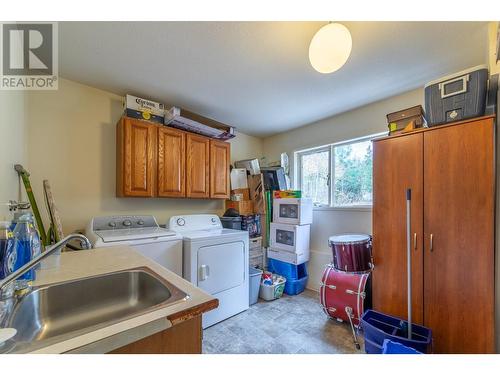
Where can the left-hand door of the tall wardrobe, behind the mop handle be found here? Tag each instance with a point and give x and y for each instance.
(397, 166)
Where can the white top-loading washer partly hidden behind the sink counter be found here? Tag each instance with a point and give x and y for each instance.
(142, 233)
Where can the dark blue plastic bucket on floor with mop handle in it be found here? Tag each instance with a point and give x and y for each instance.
(378, 327)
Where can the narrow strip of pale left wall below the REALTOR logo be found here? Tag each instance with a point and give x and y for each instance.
(12, 146)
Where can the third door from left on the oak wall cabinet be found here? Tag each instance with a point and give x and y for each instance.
(197, 166)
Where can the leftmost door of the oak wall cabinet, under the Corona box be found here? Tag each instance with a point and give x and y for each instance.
(136, 158)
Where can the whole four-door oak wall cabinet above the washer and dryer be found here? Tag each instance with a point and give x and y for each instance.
(159, 161)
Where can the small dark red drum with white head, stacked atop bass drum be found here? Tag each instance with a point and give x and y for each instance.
(352, 252)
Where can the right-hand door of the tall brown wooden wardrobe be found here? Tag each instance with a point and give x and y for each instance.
(459, 209)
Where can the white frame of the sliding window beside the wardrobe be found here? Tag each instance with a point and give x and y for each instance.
(331, 171)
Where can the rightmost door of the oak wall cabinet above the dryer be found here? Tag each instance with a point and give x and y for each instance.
(219, 169)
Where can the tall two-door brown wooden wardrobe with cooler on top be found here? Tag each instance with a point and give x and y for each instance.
(451, 171)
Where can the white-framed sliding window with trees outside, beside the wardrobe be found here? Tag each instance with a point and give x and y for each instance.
(337, 175)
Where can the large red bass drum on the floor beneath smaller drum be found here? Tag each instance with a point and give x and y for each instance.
(342, 294)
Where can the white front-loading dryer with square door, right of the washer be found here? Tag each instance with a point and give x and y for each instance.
(215, 260)
